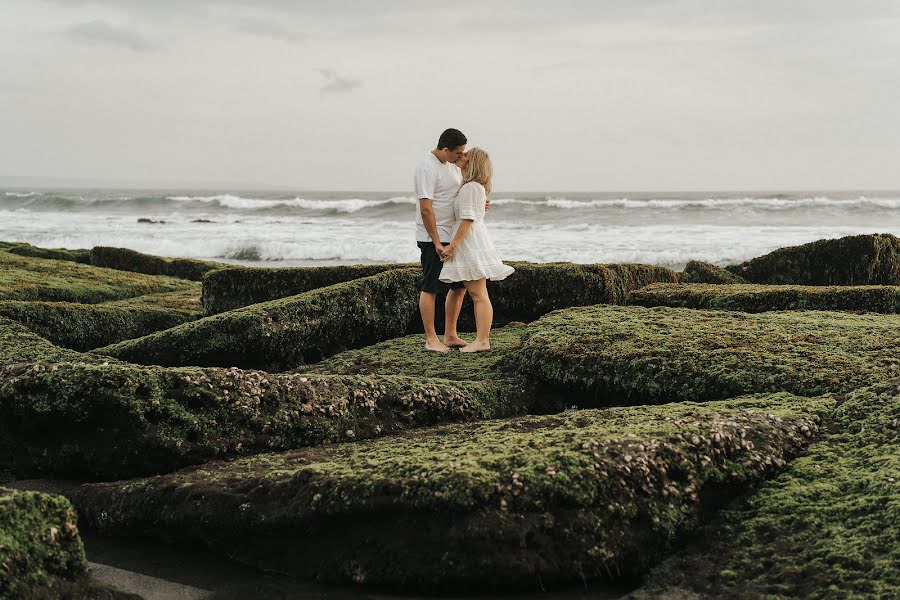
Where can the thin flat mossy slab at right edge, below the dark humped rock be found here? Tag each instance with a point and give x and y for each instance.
(762, 298)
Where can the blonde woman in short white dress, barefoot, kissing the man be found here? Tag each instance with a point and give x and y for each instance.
(471, 257)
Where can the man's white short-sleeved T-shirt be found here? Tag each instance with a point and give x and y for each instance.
(440, 182)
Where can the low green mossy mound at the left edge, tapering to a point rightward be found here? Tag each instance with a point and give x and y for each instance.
(25, 278)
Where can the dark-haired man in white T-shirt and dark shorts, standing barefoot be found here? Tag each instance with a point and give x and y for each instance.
(437, 180)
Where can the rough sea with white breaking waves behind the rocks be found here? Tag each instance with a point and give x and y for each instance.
(268, 228)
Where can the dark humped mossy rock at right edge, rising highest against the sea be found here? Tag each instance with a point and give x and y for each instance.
(854, 260)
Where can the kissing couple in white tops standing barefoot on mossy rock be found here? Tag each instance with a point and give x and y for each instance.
(453, 188)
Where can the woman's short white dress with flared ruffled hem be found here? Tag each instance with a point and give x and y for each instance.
(476, 256)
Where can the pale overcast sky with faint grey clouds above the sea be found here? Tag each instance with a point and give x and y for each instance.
(565, 95)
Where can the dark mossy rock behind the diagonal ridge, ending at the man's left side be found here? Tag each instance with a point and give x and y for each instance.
(237, 287)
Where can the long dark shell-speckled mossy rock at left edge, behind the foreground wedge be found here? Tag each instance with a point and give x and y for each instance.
(114, 421)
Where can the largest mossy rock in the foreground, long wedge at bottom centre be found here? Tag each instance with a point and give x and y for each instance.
(494, 505)
